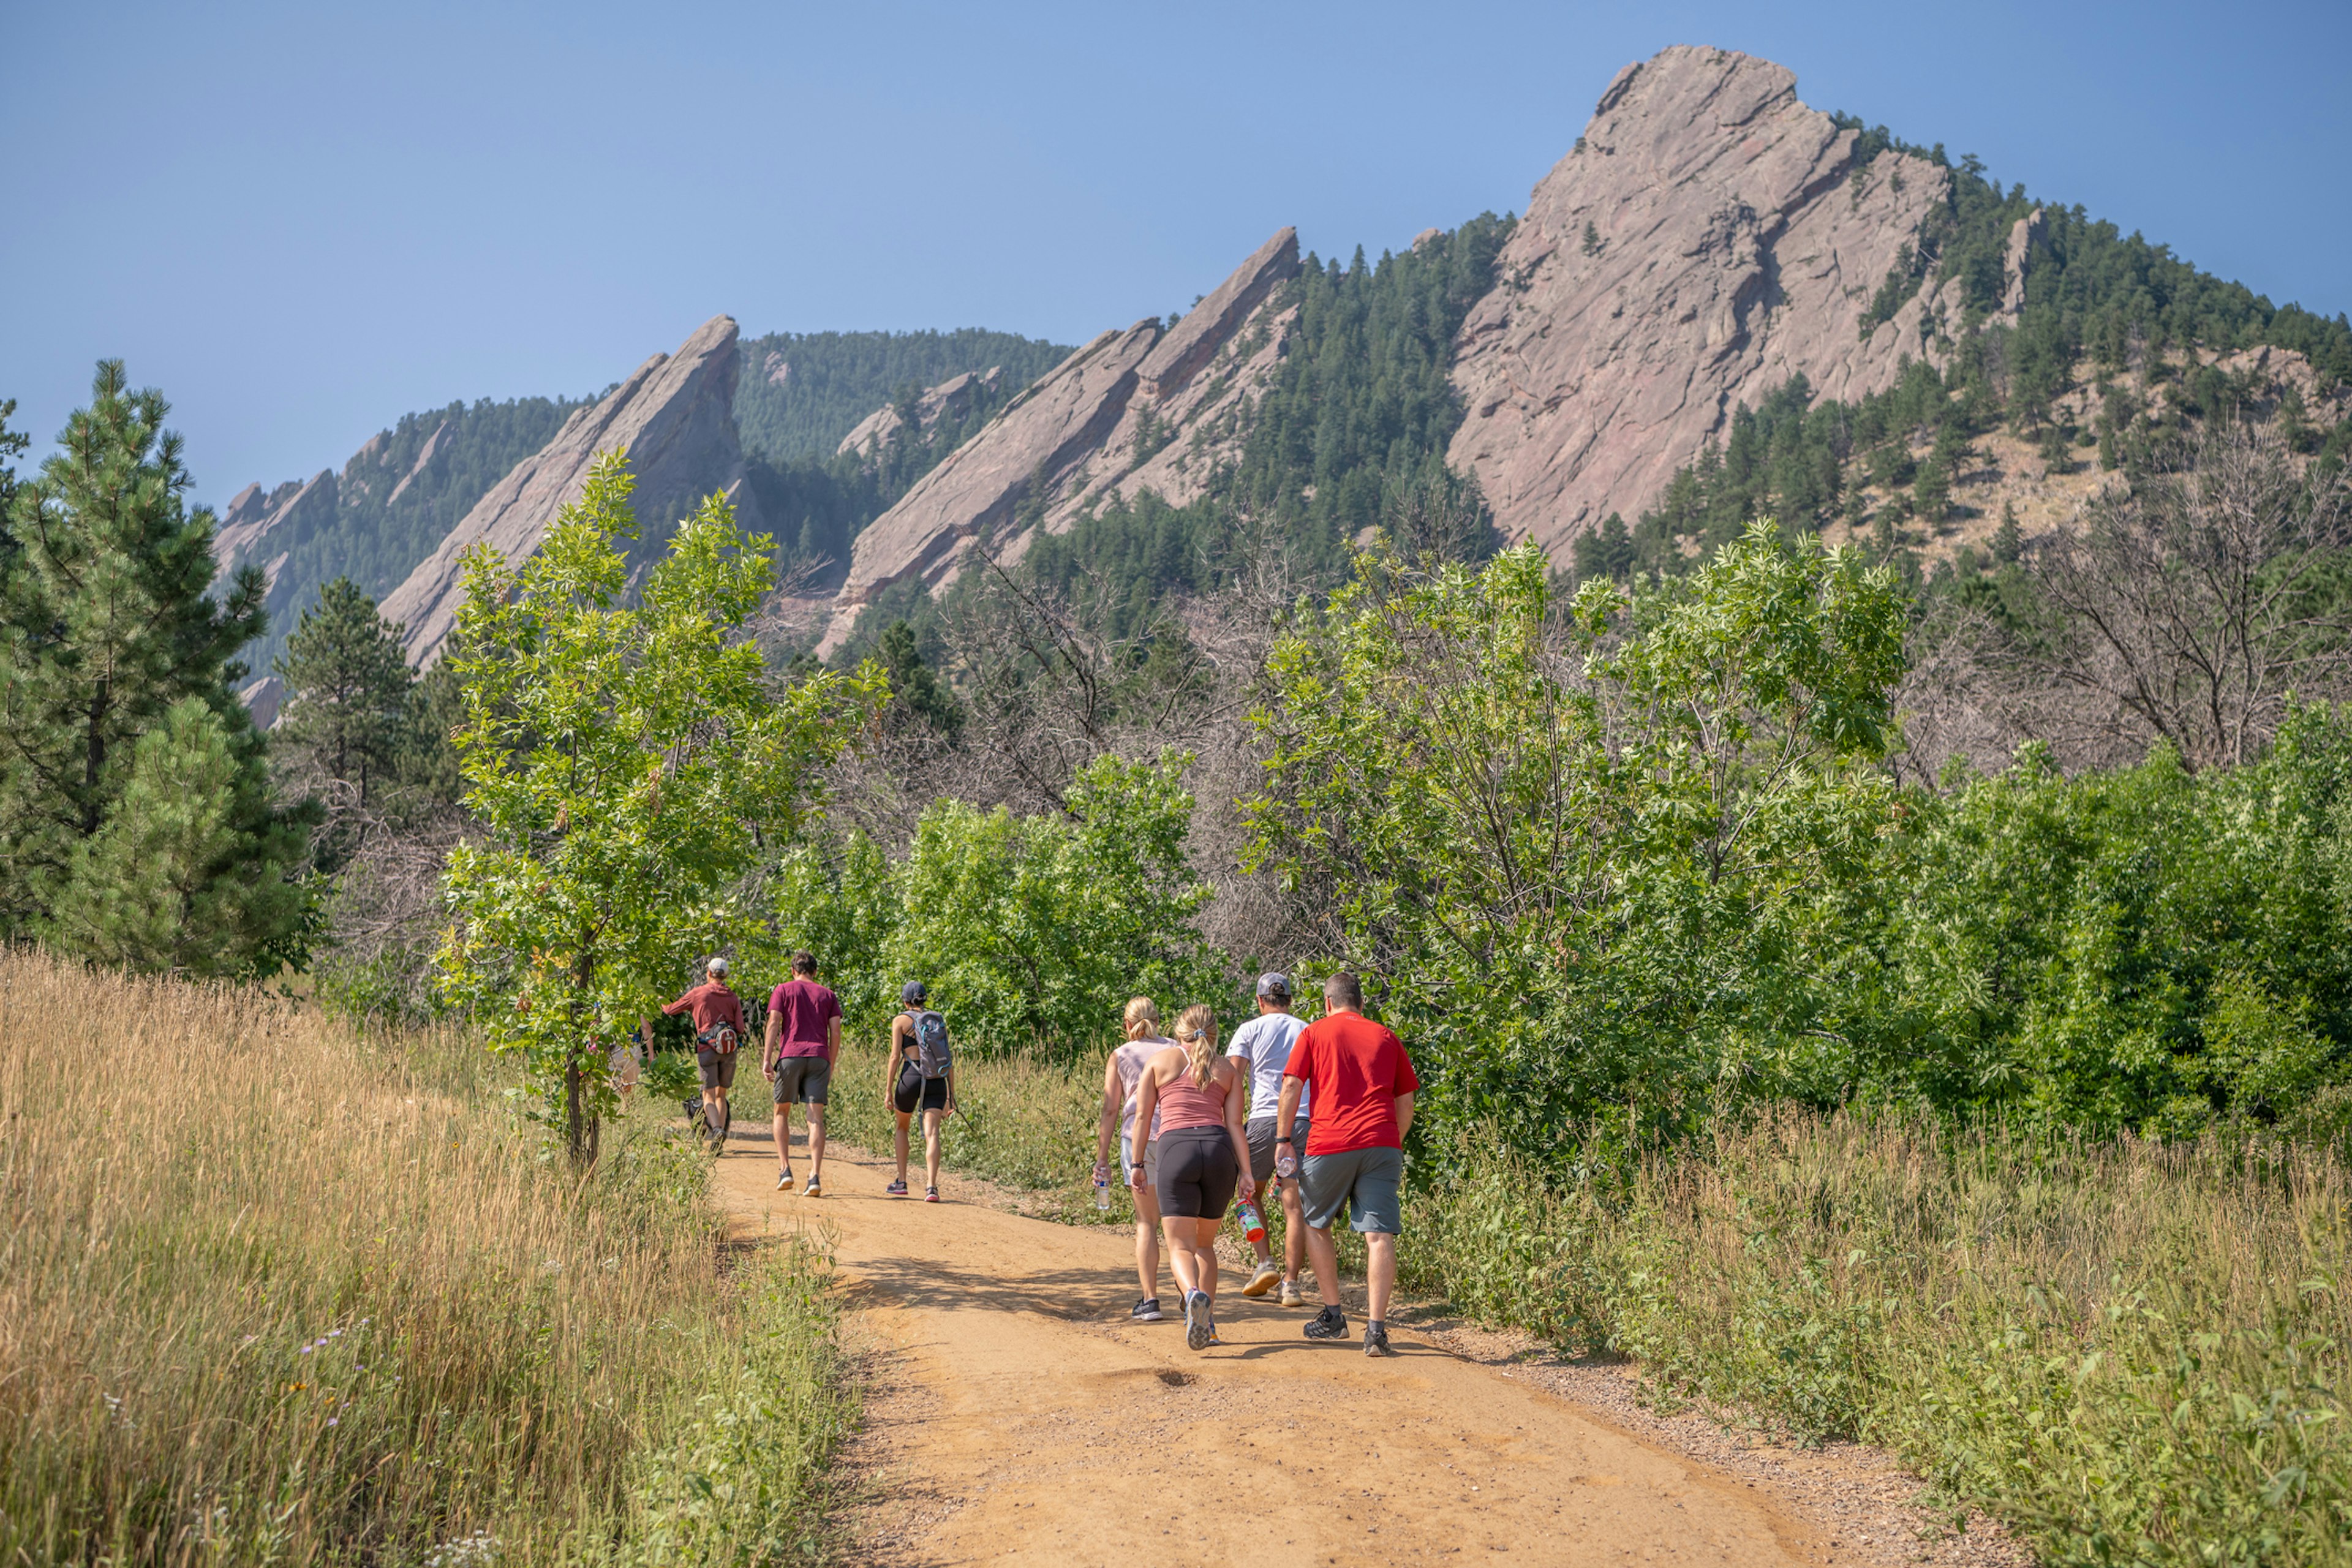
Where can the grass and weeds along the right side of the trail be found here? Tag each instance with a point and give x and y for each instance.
(2134, 1353)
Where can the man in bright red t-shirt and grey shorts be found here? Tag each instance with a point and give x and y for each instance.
(1356, 1151)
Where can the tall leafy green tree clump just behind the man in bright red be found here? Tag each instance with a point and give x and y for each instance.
(1589, 864)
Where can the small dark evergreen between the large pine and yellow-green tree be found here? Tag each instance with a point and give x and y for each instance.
(347, 692)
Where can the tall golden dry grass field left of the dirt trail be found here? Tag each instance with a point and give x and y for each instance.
(281, 1294)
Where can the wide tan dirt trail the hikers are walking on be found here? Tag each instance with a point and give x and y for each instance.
(1024, 1421)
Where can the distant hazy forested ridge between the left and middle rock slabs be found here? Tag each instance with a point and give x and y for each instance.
(801, 394)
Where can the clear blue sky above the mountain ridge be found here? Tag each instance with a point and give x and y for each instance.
(305, 220)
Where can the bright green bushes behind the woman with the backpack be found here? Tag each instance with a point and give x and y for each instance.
(1031, 932)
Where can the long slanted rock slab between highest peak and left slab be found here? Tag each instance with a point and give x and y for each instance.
(1128, 413)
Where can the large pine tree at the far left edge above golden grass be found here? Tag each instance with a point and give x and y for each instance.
(105, 634)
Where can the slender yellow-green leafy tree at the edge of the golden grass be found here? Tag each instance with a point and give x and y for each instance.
(627, 765)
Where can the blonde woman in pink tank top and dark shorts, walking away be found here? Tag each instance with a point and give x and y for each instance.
(1196, 1099)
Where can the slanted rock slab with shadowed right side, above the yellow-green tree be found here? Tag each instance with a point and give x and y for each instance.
(676, 420)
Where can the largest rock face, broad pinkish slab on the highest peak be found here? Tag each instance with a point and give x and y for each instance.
(1706, 241)
